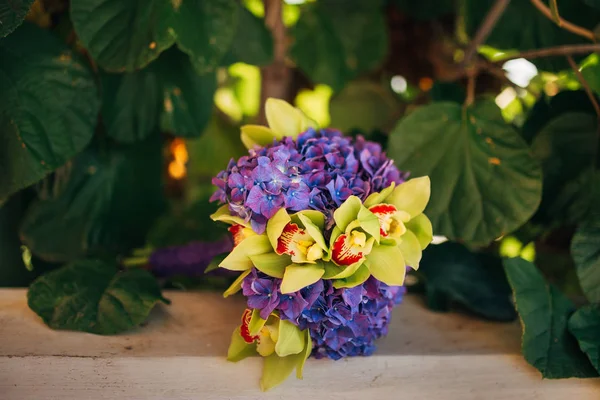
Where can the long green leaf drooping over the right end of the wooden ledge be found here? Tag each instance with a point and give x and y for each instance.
(544, 311)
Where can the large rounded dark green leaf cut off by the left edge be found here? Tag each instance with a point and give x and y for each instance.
(48, 108)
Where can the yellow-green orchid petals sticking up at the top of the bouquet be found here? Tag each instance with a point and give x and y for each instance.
(283, 119)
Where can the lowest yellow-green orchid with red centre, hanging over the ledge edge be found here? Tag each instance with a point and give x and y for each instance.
(282, 344)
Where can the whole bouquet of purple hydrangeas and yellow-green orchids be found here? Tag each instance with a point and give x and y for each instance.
(324, 228)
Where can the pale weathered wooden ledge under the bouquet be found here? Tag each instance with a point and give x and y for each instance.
(180, 355)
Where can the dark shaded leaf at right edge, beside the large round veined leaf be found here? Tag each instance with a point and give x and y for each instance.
(566, 148)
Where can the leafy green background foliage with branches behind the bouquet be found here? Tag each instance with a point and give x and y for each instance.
(114, 114)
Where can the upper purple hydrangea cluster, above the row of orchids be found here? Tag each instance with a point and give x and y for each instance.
(319, 170)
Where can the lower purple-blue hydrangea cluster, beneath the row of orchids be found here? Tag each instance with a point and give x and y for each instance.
(342, 322)
